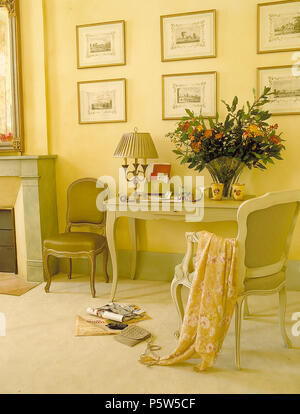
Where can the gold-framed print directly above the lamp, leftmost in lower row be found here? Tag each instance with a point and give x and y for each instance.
(102, 101)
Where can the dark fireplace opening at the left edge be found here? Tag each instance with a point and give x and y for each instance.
(8, 251)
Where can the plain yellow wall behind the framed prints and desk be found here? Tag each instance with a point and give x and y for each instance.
(86, 150)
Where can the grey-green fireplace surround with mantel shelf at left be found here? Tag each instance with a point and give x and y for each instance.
(35, 207)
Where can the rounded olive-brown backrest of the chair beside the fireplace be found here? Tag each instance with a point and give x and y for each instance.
(81, 203)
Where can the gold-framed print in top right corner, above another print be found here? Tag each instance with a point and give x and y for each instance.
(278, 26)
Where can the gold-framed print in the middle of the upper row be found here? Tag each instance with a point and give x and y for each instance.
(166, 36)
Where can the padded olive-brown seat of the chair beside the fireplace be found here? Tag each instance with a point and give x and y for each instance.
(75, 242)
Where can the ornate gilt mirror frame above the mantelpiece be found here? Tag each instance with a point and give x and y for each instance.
(16, 142)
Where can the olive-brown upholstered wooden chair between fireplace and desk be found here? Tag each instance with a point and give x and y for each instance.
(81, 211)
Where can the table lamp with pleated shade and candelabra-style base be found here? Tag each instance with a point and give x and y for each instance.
(136, 145)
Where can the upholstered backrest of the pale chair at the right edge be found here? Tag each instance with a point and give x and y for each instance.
(265, 229)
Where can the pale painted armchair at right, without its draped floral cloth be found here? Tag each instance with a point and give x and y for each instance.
(265, 229)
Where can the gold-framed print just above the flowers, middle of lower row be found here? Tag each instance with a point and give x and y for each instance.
(178, 105)
